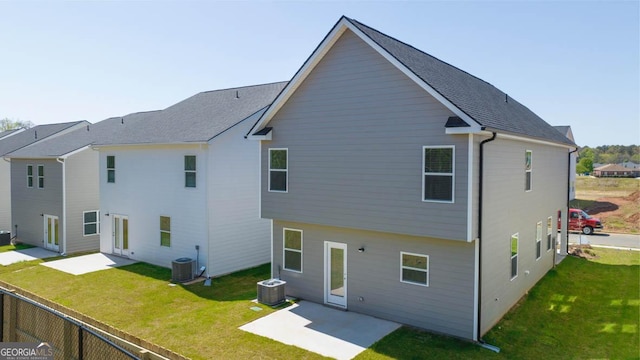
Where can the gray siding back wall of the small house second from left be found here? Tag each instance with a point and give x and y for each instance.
(29, 203)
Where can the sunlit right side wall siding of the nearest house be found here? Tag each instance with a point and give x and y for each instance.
(505, 198)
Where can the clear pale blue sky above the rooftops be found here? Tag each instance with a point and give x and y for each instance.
(572, 62)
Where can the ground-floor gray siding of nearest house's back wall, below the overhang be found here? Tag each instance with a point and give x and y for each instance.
(445, 306)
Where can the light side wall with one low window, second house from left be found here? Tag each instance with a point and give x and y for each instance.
(82, 195)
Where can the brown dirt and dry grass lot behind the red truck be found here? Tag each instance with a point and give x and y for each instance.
(615, 201)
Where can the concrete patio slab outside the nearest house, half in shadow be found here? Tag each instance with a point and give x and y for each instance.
(323, 330)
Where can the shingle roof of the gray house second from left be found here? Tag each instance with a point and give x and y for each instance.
(90, 134)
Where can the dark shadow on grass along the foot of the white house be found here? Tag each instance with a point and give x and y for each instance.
(240, 285)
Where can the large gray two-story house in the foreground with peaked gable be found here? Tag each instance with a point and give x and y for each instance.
(402, 187)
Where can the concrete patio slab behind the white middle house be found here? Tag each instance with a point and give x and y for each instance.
(88, 263)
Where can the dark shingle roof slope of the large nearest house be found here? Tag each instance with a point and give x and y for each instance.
(477, 98)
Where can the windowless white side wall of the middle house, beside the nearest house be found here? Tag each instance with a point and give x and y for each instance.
(238, 237)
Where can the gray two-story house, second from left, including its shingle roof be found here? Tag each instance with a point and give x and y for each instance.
(54, 186)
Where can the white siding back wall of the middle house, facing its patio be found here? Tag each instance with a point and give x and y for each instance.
(149, 184)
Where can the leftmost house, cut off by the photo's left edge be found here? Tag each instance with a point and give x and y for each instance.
(13, 140)
